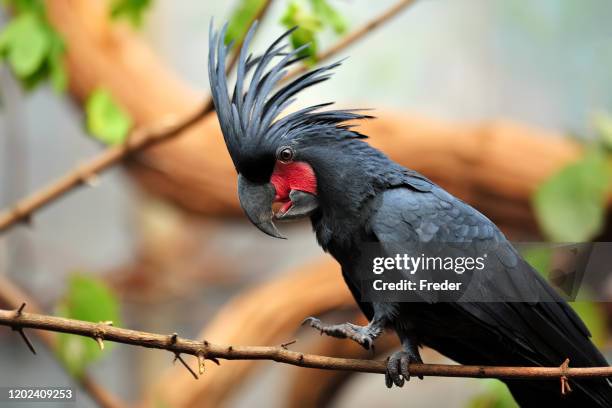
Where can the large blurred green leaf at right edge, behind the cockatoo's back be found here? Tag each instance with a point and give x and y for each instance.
(570, 205)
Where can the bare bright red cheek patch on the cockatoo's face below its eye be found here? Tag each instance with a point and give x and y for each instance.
(293, 176)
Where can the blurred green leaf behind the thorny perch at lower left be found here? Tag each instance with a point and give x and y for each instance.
(90, 300)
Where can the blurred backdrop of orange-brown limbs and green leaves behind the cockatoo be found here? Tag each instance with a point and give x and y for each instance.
(503, 102)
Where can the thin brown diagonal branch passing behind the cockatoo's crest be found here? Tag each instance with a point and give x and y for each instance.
(142, 138)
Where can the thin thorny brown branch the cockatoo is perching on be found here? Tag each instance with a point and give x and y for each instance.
(206, 350)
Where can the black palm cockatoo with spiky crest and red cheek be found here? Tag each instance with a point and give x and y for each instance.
(312, 163)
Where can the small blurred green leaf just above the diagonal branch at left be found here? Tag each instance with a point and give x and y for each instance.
(106, 121)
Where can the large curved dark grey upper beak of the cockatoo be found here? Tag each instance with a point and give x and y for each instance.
(256, 200)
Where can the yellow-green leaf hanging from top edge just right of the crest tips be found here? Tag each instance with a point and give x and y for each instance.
(308, 25)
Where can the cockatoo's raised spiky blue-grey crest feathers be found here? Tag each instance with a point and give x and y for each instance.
(248, 118)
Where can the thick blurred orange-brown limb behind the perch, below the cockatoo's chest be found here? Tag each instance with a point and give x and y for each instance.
(279, 305)
